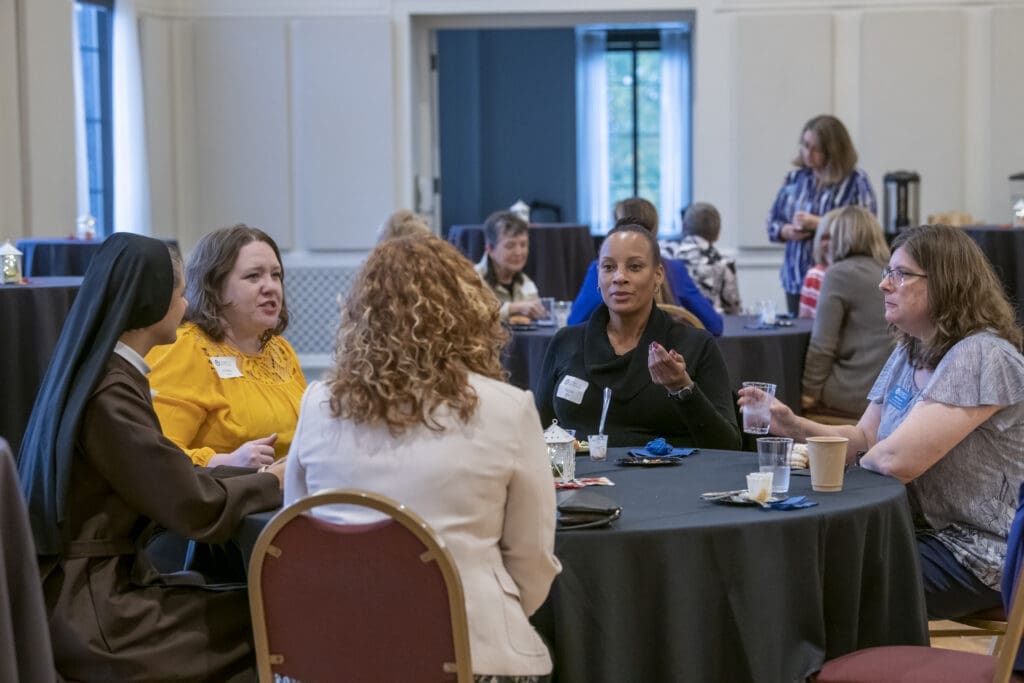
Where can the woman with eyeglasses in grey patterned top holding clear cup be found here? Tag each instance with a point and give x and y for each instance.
(946, 415)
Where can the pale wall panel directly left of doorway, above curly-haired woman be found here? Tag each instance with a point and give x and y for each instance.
(344, 131)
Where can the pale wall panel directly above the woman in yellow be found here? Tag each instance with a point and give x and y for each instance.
(242, 130)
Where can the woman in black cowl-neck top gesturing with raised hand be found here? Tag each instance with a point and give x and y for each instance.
(667, 379)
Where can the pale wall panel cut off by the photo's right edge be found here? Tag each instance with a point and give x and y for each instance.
(1007, 131)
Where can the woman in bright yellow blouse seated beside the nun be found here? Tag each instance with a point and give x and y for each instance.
(228, 392)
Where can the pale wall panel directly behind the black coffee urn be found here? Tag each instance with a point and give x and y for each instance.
(913, 103)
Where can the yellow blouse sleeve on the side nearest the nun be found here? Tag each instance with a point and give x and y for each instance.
(184, 393)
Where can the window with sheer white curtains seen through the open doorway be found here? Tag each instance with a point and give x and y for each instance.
(634, 111)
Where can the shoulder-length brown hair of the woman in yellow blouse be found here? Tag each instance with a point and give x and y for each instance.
(209, 265)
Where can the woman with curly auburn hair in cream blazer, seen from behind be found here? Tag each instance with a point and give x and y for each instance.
(416, 409)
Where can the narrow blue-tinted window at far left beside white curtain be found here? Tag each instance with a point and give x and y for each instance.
(94, 104)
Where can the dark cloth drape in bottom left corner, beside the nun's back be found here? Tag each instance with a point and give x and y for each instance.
(25, 638)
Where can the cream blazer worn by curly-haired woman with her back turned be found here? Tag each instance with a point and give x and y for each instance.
(485, 487)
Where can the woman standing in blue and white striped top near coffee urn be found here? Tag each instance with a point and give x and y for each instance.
(827, 178)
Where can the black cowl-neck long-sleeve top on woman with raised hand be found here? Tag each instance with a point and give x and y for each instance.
(641, 410)
